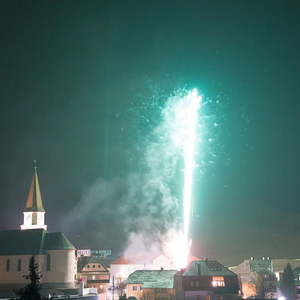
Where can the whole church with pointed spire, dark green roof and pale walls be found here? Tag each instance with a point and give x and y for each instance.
(53, 252)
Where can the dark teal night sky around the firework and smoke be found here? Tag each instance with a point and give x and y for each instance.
(75, 74)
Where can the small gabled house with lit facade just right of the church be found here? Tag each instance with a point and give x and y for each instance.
(94, 271)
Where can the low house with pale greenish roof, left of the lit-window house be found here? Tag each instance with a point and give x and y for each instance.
(151, 285)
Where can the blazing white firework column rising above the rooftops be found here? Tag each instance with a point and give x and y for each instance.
(181, 117)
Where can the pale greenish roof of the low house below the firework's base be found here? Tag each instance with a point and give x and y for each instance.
(153, 278)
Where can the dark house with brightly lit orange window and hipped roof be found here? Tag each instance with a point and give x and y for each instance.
(206, 279)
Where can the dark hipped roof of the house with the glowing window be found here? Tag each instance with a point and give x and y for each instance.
(207, 268)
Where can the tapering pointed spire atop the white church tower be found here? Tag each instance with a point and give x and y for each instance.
(34, 201)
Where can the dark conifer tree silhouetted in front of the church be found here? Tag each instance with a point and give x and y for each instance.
(32, 290)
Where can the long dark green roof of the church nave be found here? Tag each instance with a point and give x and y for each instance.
(32, 242)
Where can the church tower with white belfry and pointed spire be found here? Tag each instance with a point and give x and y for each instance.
(34, 213)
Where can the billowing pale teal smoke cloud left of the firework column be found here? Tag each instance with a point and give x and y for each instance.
(141, 212)
